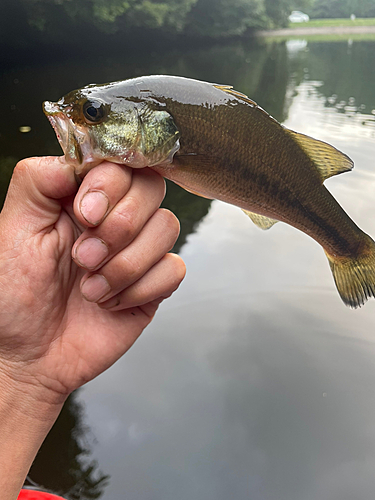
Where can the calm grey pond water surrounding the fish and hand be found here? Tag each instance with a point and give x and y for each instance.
(254, 380)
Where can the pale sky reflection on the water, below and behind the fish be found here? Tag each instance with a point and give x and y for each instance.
(254, 380)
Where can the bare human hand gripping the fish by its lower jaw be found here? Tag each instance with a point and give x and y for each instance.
(64, 321)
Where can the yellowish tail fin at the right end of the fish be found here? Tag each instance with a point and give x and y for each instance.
(355, 278)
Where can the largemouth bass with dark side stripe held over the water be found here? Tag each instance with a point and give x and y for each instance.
(216, 142)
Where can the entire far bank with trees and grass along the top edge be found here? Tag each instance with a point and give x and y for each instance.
(59, 20)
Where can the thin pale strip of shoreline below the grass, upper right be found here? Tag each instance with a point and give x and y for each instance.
(323, 30)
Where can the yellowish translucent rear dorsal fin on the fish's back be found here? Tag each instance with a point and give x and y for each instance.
(328, 160)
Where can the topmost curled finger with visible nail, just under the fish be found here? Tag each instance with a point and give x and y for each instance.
(100, 191)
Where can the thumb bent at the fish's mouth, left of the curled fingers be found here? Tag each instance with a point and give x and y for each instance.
(35, 190)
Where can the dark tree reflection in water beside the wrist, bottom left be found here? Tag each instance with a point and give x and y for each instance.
(63, 463)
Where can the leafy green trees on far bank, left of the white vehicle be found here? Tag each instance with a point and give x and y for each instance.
(212, 18)
